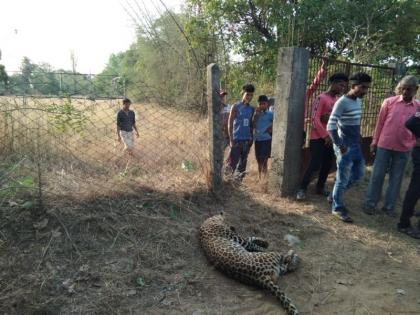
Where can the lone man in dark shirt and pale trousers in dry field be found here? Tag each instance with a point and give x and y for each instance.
(126, 122)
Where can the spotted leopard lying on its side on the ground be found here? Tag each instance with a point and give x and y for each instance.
(247, 259)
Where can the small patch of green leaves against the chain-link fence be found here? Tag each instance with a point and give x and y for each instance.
(66, 117)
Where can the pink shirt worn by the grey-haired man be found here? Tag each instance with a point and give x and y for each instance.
(390, 132)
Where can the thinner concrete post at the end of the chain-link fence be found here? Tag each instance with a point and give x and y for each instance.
(215, 130)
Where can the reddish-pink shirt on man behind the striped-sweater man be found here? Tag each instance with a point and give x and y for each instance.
(321, 110)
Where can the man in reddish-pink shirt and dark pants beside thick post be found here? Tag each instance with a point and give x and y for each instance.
(320, 146)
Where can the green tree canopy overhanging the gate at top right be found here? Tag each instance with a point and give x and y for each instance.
(362, 31)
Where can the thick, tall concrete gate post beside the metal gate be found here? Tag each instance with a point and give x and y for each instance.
(292, 74)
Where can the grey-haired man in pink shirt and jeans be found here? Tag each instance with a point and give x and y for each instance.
(392, 143)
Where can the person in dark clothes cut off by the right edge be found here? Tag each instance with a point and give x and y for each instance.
(413, 192)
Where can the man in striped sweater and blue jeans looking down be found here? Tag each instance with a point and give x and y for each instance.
(344, 129)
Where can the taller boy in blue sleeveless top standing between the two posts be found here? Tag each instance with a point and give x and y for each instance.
(240, 133)
